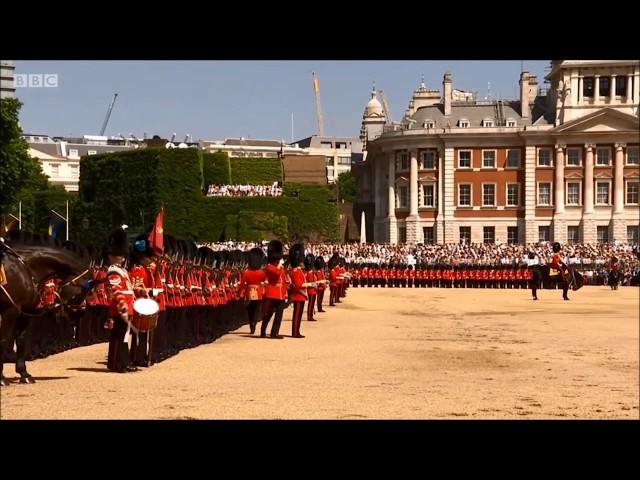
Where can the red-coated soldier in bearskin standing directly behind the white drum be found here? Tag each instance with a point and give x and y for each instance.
(143, 266)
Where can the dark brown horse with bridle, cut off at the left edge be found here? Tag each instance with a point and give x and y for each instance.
(32, 260)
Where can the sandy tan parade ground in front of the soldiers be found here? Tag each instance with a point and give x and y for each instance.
(381, 354)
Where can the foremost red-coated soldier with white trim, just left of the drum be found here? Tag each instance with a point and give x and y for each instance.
(121, 306)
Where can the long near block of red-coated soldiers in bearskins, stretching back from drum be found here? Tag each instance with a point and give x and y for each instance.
(202, 294)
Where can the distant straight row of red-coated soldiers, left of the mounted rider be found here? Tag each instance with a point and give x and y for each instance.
(440, 276)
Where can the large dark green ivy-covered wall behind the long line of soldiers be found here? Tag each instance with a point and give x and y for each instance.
(130, 187)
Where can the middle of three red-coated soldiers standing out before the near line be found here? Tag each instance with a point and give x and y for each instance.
(275, 291)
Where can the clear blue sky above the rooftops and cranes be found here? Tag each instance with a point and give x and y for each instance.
(254, 99)
